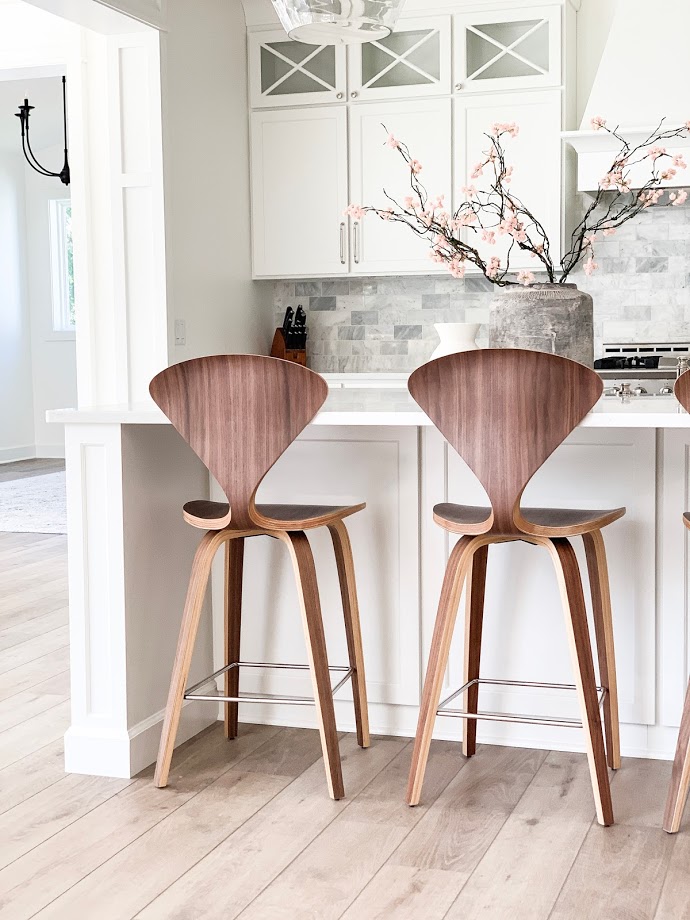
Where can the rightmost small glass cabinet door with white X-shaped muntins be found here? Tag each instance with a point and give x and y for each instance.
(518, 49)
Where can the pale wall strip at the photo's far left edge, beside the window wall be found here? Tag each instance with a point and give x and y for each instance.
(16, 399)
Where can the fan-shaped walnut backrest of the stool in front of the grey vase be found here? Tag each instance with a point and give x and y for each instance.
(505, 411)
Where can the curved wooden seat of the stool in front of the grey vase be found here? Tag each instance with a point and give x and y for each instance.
(547, 522)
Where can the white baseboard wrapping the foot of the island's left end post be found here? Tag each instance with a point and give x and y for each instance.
(123, 754)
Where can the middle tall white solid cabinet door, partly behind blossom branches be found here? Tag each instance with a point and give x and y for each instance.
(425, 126)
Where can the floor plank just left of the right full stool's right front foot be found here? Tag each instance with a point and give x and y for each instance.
(525, 867)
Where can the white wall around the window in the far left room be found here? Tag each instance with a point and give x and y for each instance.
(54, 367)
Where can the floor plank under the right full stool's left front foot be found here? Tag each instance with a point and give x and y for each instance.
(324, 880)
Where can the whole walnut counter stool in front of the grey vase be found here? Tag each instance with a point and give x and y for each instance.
(505, 411)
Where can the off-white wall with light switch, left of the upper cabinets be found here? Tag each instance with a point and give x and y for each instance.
(206, 155)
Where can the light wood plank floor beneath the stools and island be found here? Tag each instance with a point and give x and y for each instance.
(246, 829)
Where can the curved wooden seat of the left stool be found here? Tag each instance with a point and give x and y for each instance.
(216, 515)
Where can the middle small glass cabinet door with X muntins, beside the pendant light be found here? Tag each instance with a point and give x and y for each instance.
(412, 61)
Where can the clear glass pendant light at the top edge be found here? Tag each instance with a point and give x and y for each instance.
(334, 22)
